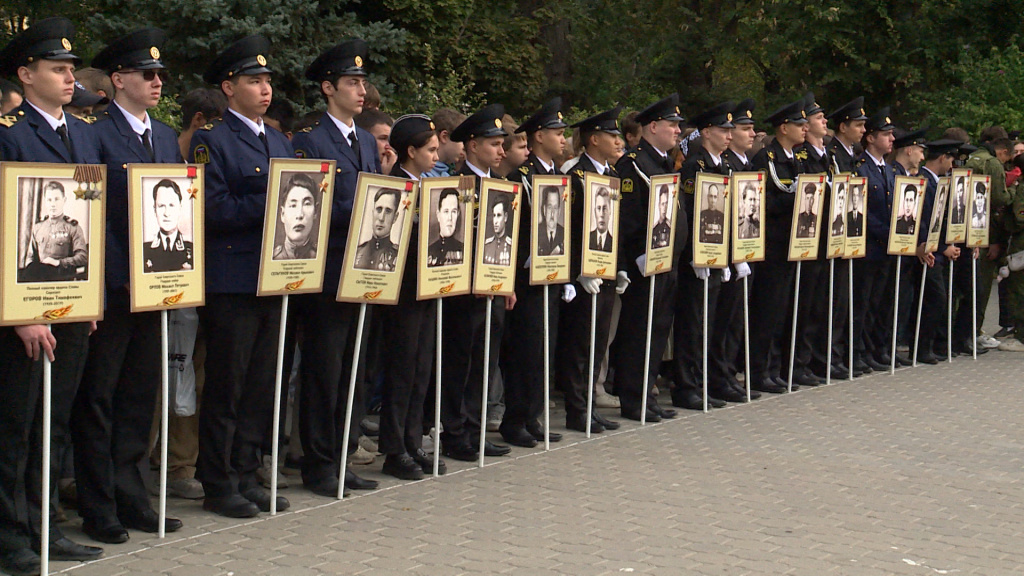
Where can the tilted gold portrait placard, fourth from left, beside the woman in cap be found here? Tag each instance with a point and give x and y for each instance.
(378, 240)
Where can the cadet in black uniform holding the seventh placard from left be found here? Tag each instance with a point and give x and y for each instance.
(524, 366)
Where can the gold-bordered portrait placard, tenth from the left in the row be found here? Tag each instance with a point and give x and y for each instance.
(711, 224)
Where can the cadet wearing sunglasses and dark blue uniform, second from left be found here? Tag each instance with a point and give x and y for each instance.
(113, 413)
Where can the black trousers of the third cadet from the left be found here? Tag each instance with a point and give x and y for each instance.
(238, 397)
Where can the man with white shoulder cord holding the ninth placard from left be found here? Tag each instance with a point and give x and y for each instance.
(659, 132)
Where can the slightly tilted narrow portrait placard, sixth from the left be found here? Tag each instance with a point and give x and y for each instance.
(497, 238)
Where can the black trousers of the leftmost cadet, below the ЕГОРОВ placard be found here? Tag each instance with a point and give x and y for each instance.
(21, 429)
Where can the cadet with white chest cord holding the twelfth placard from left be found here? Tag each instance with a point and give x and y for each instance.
(774, 277)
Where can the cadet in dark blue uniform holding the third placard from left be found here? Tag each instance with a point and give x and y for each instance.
(242, 331)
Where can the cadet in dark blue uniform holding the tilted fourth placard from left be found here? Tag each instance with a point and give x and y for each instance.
(330, 326)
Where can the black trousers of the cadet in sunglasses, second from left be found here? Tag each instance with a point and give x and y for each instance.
(113, 413)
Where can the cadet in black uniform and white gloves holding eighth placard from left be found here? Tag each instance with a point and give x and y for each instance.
(600, 136)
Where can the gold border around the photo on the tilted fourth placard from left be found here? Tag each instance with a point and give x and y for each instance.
(374, 286)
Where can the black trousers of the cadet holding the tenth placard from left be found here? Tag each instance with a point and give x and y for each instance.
(688, 336)
